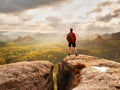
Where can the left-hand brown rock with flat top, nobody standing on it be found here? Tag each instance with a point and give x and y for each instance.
(36, 75)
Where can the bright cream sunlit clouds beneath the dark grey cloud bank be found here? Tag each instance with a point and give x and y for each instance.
(82, 15)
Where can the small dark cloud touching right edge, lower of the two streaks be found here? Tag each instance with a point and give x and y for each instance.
(107, 17)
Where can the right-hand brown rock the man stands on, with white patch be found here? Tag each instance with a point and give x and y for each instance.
(88, 73)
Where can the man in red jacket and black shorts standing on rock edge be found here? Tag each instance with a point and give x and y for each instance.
(71, 38)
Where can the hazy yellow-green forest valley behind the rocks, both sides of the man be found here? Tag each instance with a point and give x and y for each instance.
(12, 51)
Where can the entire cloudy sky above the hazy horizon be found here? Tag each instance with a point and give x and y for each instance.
(48, 16)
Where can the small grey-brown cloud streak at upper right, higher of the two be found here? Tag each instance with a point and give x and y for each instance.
(100, 6)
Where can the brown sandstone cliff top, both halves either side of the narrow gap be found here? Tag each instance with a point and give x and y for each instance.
(74, 73)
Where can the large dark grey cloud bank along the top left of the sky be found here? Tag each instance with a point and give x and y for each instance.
(9, 6)
